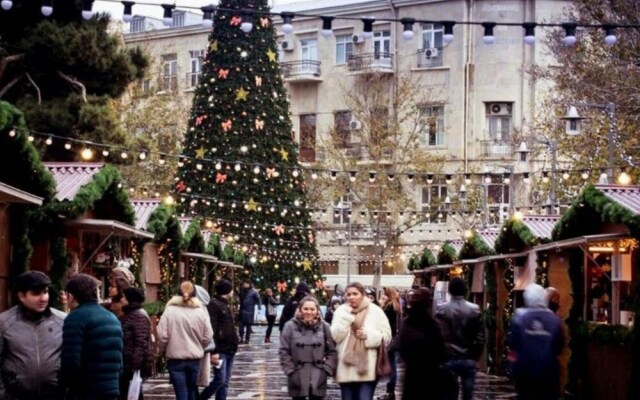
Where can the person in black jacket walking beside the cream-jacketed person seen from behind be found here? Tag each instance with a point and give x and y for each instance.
(226, 339)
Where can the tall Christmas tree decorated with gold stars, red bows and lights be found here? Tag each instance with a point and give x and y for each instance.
(239, 172)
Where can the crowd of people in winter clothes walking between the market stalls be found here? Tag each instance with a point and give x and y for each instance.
(96, 350)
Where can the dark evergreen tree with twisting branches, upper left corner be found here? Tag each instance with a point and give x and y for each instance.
(62, 71)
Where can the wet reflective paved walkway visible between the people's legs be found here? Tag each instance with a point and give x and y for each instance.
(257, 375)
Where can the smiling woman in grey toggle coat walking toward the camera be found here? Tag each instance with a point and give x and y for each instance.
(307, 352)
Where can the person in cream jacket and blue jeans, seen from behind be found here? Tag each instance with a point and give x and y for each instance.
(183, 333)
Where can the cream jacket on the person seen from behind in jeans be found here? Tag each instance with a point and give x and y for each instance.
(184, 329)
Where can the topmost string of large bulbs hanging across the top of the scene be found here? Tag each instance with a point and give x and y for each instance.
(247, 16)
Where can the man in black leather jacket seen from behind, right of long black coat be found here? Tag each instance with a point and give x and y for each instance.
(463, 331)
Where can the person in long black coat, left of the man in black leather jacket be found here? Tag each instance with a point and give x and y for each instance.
(422, 347)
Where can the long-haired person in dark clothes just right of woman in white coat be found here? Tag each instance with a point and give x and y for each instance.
(390, 303)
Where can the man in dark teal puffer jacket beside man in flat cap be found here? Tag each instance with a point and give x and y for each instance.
(91, 345)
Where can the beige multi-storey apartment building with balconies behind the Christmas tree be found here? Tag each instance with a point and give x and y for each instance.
(483, 97)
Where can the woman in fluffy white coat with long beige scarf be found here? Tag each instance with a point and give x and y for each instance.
(359, 327)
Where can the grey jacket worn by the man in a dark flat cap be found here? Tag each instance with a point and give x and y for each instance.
(30, 352)
